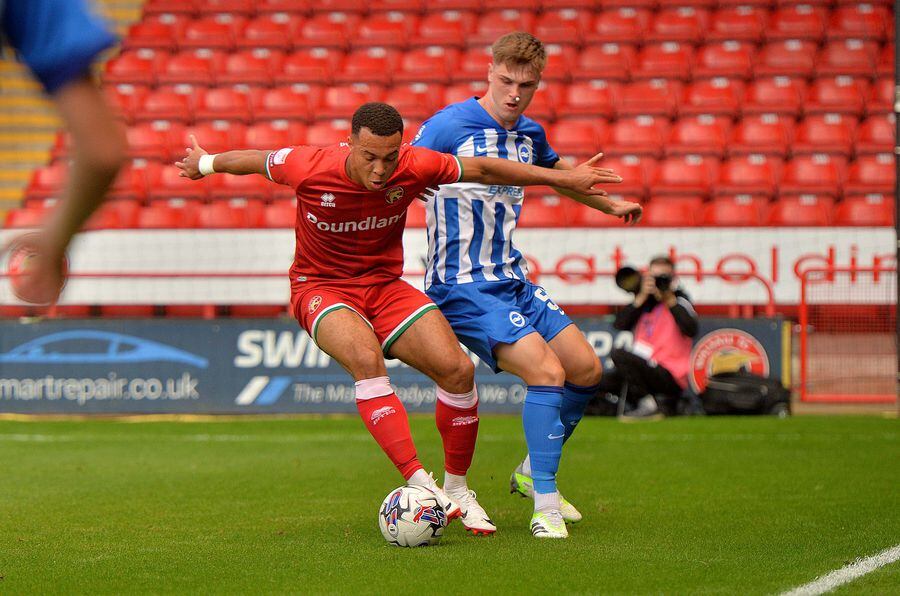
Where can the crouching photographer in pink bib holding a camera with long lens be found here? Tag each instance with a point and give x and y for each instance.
(663, 321)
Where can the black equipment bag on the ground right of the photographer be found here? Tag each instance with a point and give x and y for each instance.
(745, 393)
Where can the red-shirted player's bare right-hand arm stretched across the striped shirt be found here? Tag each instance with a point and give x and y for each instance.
(486, 170)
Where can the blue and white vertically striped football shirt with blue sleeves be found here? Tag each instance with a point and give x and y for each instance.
(470, 226)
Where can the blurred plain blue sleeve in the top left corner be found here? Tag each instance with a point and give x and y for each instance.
(57, 39)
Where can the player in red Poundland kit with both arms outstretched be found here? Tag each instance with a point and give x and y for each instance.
(346, 290)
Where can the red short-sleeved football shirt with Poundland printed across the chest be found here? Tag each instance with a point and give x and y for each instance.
(343, 230)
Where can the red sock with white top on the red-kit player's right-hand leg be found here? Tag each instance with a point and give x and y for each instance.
(457, 421)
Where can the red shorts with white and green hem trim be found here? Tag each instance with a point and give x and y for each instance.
(389, 308)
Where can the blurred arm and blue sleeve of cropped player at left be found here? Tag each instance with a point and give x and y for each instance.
(59, 40)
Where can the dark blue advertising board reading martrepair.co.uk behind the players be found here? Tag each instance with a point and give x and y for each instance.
(257, 366)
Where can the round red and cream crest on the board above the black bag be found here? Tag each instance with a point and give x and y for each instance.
(726, 350)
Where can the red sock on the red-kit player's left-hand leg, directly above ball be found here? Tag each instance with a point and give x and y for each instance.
(386, 420)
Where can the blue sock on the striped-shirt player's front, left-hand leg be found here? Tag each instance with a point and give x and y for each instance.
(544, 434)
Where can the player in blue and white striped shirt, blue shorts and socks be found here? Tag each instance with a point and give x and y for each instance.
(480, 280)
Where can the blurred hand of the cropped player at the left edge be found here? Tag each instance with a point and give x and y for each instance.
(37, 272)
